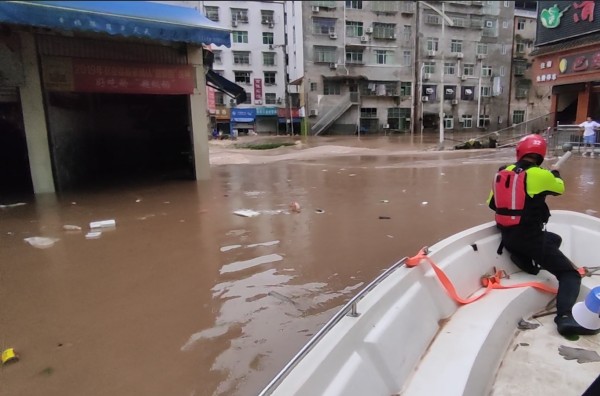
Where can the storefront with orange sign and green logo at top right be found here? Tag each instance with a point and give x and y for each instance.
(567, 59)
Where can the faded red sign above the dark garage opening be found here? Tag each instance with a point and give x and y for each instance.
(139, 78)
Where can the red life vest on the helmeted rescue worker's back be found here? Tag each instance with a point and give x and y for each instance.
(510, 192)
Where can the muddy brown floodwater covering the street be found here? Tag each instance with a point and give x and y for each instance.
(183, 297)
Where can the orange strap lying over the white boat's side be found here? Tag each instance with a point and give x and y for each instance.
(488, 281)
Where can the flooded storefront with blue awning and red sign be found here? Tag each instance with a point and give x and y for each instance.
(110, 90)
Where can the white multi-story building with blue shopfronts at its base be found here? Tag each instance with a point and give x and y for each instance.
(256, 61)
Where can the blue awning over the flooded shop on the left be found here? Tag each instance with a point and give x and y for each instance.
(141, 19)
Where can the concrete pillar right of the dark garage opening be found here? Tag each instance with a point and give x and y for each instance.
(199, 122)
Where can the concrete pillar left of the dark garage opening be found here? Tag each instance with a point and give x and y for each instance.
(36, 130)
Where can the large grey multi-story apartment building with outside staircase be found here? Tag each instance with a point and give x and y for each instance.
(377, 65)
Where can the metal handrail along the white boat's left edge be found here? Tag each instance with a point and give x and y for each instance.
(350, 309)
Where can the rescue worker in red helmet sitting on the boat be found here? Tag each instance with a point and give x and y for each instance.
(518, 197)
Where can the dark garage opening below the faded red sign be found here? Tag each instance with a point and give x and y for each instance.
(111, 139)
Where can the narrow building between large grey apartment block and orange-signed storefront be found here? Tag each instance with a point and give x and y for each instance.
(527, 101)
